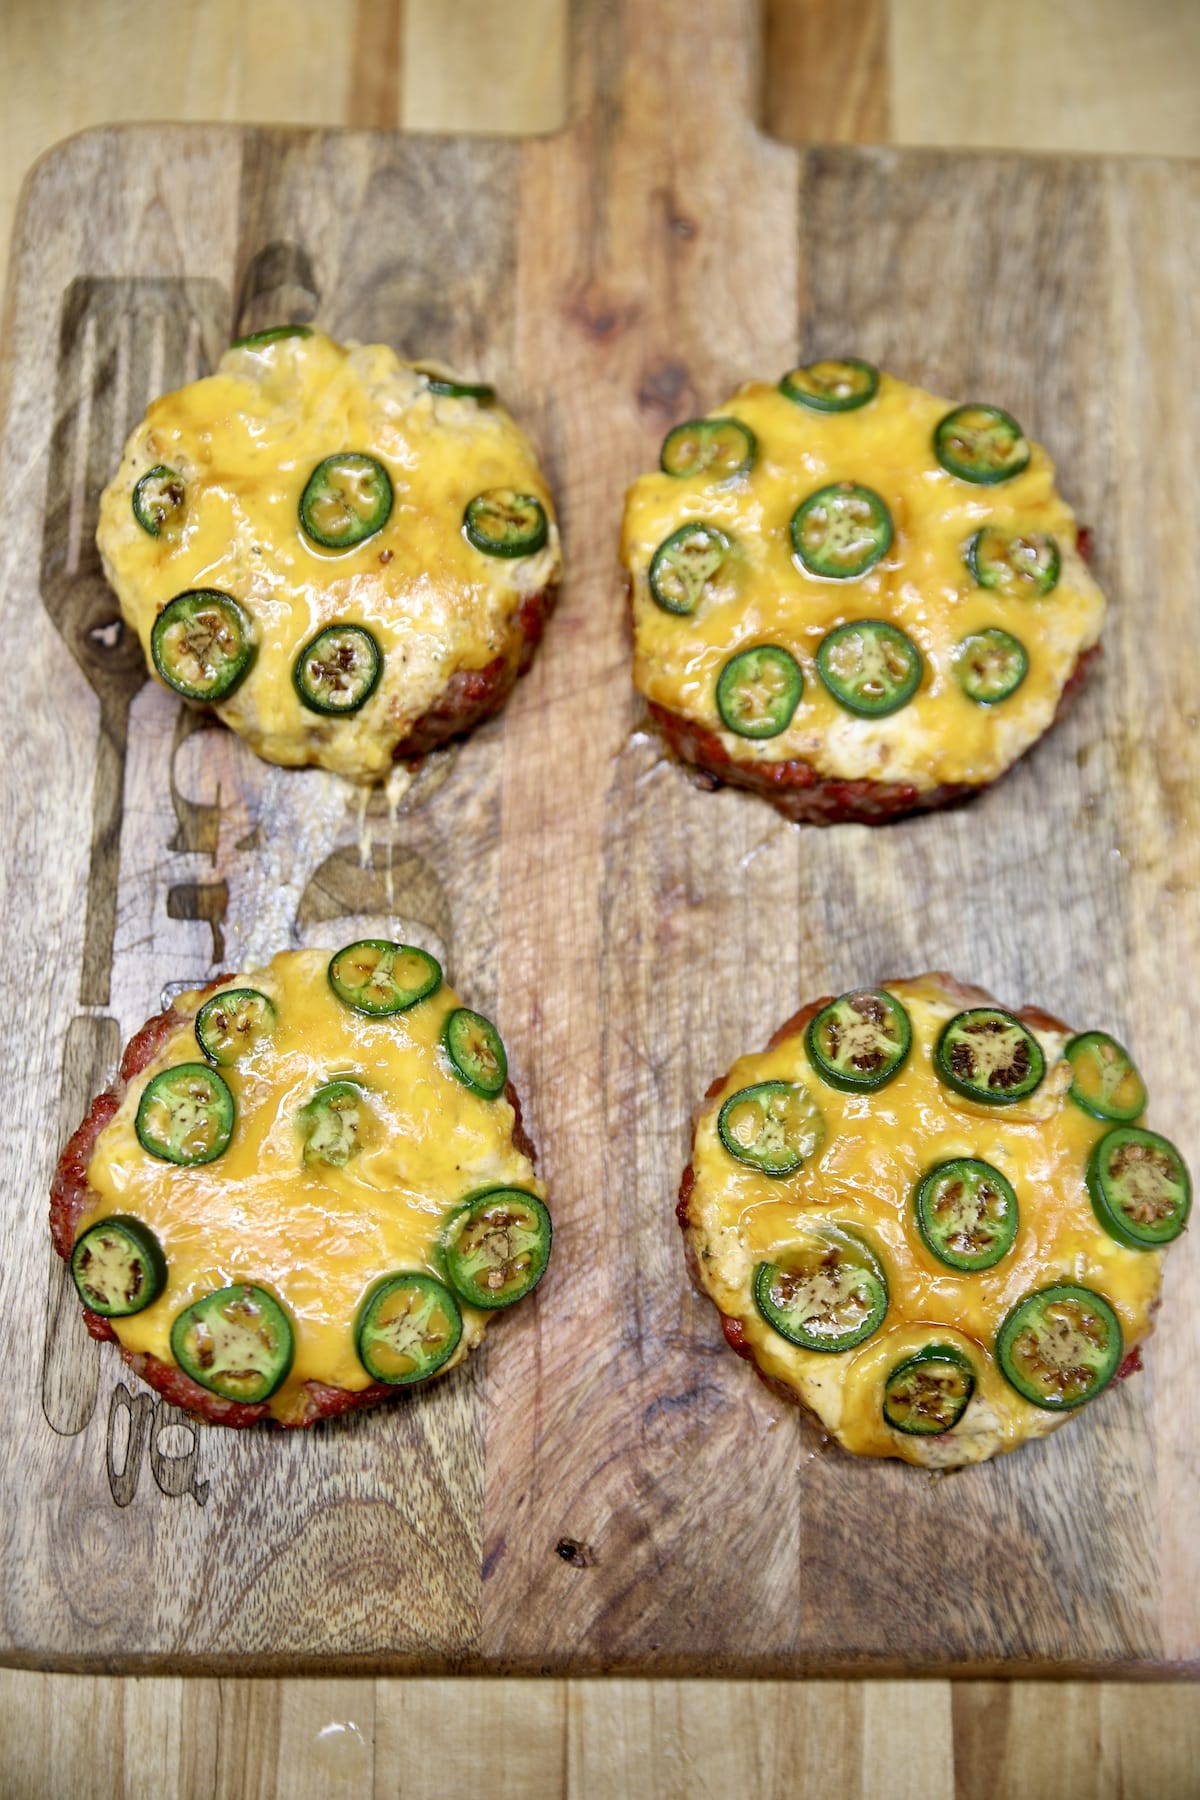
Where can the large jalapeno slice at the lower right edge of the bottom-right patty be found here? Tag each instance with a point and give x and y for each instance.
(1061, 1345)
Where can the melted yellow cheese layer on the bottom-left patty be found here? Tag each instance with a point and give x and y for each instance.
(318, 1237)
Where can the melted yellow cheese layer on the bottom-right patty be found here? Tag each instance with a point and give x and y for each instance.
(875, 1151)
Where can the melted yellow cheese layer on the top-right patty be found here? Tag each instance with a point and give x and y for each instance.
(922, 586)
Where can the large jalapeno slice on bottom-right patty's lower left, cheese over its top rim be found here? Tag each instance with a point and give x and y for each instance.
(827, 1293)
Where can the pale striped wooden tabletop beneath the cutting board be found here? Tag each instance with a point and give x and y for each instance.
(1084, 75)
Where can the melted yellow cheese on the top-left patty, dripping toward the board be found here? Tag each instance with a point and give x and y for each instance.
(246, 444)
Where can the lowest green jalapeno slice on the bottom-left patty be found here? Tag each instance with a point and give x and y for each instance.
(235, 1342)
